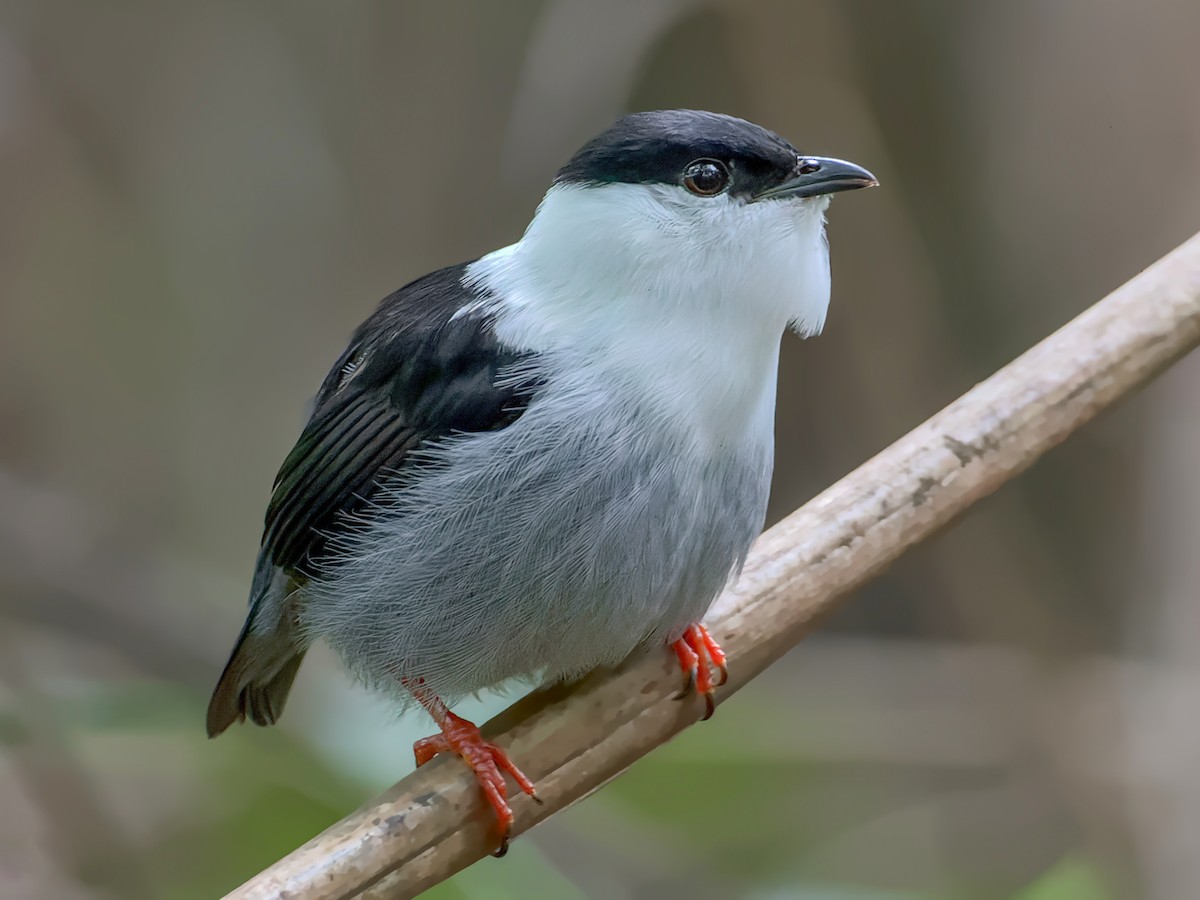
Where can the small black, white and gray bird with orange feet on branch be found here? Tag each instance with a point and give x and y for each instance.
(535, 464)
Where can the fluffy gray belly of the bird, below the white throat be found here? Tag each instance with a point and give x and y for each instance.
(543, 549)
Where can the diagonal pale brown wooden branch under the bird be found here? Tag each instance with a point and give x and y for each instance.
(573, 740)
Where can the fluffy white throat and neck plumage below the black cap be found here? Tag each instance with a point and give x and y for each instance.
(680, 299)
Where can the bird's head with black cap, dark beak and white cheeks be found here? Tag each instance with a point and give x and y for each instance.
(686, 211)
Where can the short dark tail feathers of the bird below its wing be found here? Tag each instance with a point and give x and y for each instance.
(256, 681)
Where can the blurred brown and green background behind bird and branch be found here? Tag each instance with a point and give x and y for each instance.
(199, 202)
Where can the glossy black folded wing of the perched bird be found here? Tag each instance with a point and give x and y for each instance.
(413, 373)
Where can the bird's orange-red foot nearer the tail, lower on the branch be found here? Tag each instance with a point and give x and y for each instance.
(485, 759)
